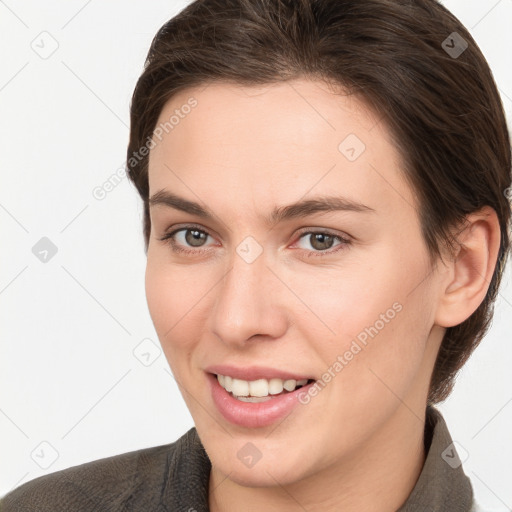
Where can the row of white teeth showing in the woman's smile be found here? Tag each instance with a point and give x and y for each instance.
(260, 388)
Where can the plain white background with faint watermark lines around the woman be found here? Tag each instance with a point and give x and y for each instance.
(69, 376)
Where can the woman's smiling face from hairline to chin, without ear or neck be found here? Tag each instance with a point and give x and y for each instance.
(340, 299)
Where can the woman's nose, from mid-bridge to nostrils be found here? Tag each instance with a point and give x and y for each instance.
(248, 304)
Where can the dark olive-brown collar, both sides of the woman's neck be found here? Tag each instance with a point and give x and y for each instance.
(441, 487)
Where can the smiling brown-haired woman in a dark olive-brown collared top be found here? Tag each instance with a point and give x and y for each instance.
(326, 226)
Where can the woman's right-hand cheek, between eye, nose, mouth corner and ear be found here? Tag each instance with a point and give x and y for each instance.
(373, 314)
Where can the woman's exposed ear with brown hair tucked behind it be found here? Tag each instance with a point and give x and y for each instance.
(469, 272)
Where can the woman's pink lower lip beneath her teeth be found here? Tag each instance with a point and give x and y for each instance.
(253, 415)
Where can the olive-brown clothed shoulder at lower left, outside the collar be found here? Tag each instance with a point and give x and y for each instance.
(109, 484)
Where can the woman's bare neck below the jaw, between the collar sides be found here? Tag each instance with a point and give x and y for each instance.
(377, 477)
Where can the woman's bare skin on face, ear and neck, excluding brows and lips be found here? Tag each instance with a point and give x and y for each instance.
(358, 444)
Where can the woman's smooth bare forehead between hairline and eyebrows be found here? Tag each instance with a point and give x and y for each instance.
(273, 144)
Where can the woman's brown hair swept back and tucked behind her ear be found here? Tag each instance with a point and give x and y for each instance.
(437, 96)
